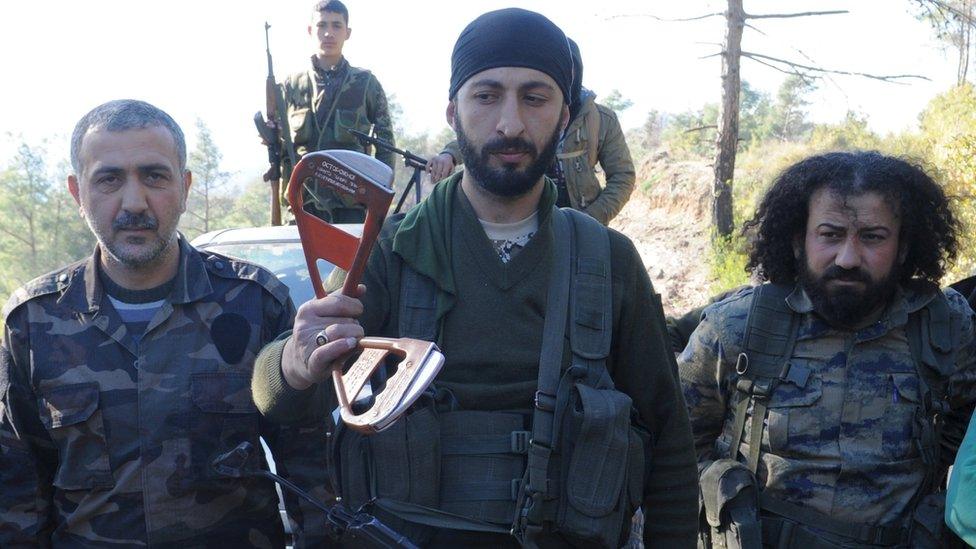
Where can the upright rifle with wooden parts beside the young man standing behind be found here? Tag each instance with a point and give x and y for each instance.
(275, 134)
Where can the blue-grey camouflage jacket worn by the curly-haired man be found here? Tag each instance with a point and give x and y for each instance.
(845, 443)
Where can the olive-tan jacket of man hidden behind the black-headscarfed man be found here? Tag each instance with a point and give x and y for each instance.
(593, 136)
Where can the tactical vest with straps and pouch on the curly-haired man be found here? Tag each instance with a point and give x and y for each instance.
(732, 501)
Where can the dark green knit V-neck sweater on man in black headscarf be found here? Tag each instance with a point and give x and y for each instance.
(491, 336)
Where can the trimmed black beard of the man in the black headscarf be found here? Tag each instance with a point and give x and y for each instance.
(507, 181)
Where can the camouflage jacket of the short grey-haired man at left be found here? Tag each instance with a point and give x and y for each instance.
(106, 439)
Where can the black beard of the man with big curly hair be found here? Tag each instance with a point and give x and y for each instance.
(846, 305)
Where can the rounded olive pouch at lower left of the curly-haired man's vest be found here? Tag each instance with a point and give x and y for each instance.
(729, 506)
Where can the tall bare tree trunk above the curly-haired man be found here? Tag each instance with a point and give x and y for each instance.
(728, 119)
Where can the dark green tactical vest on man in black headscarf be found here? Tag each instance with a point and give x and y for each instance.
(571, 467)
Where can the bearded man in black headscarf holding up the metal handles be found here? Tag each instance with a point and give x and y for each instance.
(531, 437)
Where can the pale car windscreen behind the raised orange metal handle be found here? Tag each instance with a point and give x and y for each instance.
(285, 259)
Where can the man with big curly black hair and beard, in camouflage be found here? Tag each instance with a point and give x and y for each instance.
(828, 402)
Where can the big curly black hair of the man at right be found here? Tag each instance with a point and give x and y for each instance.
(929, 230)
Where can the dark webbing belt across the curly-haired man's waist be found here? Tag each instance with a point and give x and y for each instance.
(860, 533)
